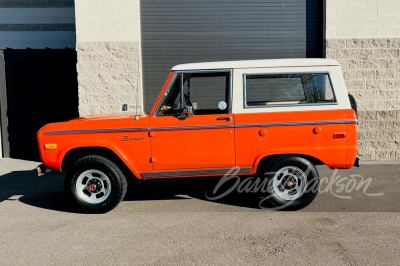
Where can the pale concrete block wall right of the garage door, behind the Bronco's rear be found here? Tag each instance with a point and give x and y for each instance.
(364, 36)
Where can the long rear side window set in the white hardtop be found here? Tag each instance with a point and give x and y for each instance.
(285, 89)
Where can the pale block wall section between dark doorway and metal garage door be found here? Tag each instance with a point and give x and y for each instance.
(108, 48)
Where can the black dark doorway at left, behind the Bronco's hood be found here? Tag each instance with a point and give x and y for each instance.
(42, 88)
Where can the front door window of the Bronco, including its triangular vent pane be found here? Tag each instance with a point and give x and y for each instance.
(201, 90)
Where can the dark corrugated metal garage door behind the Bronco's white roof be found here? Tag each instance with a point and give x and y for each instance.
(185, 31)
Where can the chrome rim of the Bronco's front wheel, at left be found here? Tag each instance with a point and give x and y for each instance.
(93, 186)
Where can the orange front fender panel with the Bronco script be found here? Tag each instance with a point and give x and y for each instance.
(132, 147)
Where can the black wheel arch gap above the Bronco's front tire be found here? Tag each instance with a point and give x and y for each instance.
(76, 153)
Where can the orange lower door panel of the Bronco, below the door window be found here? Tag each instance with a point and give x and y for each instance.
(193, 148)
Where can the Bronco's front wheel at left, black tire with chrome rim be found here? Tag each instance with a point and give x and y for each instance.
(105, 174)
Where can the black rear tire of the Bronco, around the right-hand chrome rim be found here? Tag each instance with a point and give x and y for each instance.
(275, 165)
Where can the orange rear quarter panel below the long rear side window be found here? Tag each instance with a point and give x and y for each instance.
(290, 139)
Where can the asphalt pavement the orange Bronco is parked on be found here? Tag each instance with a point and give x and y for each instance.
(353, 221)
